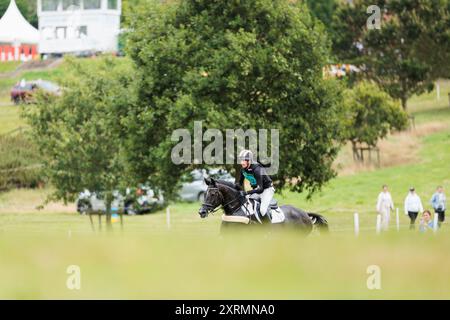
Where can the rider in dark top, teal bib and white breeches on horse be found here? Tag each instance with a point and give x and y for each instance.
(259, 180)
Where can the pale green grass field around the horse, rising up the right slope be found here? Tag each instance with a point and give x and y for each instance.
(191, 260)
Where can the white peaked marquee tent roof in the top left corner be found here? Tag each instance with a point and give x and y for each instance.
(15, 29)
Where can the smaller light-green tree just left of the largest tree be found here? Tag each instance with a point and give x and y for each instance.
(77, 134)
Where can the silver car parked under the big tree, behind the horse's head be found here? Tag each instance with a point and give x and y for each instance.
(194, 188)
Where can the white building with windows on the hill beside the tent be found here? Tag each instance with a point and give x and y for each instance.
(75, 26)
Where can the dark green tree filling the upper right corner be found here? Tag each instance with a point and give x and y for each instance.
(393, 55)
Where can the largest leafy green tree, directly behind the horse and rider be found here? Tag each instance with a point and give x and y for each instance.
(232, 64)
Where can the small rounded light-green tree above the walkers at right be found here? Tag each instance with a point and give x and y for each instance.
(370, 114)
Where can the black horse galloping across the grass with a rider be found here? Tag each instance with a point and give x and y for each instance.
(226, 195)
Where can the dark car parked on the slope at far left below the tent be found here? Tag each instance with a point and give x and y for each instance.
(24, 90)
